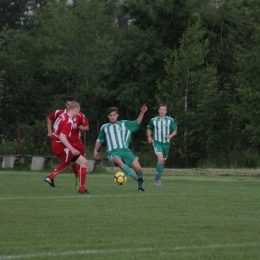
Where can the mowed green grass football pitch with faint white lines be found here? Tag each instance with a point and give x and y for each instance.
(192, 216)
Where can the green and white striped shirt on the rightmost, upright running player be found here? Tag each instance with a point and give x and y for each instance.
(161, 128)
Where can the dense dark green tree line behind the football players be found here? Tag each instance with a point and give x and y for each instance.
(200, 57)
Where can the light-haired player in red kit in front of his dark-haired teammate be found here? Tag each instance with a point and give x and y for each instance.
(64, 149)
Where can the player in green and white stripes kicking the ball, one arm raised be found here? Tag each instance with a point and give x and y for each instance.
(117, 135)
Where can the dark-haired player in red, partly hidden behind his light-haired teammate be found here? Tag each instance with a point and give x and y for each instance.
(81, 124)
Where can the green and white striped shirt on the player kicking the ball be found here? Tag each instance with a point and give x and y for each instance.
(117, 135)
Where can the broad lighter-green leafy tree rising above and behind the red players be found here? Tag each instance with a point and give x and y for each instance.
(80, 40)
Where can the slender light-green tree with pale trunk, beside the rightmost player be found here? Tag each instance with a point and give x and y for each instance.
(189, 83)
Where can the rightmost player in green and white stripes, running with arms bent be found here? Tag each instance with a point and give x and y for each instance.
(163, 129)
